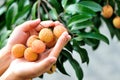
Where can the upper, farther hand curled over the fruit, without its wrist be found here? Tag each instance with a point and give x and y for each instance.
(23, 31)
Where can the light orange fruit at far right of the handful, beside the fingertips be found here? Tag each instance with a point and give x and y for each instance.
(58, 30)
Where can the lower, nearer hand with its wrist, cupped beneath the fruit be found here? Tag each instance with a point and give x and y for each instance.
(20, 69)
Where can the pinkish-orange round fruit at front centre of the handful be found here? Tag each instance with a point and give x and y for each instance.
(38, 46)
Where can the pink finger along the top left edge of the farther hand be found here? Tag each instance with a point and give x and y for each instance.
(29, 25)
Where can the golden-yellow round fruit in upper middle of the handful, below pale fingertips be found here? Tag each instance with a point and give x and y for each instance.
(46, 35)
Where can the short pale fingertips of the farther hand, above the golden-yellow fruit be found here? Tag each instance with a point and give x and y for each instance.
(45, 24)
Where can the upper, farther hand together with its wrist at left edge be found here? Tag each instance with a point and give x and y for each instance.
(20, 35)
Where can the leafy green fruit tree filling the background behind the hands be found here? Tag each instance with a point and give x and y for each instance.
(82, 18)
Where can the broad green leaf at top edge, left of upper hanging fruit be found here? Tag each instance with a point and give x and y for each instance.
(92, 5)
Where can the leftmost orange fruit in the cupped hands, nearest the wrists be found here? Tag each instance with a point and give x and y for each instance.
(18, 50)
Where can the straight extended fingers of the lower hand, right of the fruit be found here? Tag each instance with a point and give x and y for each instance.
(62, 41)
